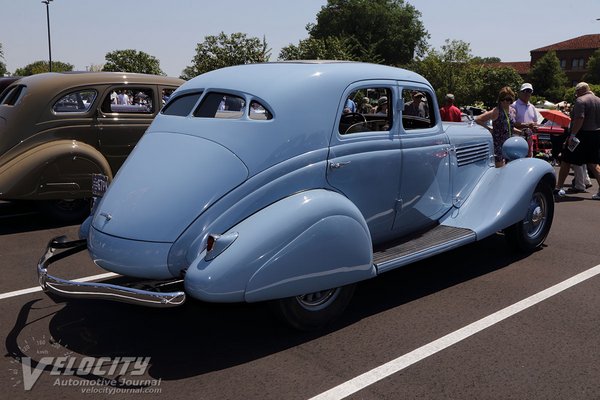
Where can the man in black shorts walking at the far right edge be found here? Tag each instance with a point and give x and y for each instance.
(585, 128)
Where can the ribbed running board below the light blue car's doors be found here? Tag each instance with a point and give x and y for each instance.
(437, 240)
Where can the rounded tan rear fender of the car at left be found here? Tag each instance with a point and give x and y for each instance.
(53, 170)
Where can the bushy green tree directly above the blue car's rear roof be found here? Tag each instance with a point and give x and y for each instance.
(226, 50)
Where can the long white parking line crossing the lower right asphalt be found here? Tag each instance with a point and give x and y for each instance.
(370, 377)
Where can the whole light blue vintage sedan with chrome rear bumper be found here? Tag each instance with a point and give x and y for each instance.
(291, 182)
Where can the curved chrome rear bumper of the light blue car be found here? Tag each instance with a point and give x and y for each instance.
(93, 290)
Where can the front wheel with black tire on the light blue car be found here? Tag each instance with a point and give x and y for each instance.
(529, 234)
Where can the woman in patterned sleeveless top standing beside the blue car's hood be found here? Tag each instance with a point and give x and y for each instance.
(503, 122)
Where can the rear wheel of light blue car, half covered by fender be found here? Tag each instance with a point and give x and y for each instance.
(314, 310)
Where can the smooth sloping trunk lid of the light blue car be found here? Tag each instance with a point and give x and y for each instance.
(167, 182)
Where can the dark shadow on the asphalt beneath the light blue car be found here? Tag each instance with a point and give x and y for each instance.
(198, 338)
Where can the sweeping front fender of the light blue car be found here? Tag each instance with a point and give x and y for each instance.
(501, 197)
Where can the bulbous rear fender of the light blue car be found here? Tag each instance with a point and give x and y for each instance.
(310, 241)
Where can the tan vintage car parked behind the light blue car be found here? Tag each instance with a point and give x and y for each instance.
(57, 129)
